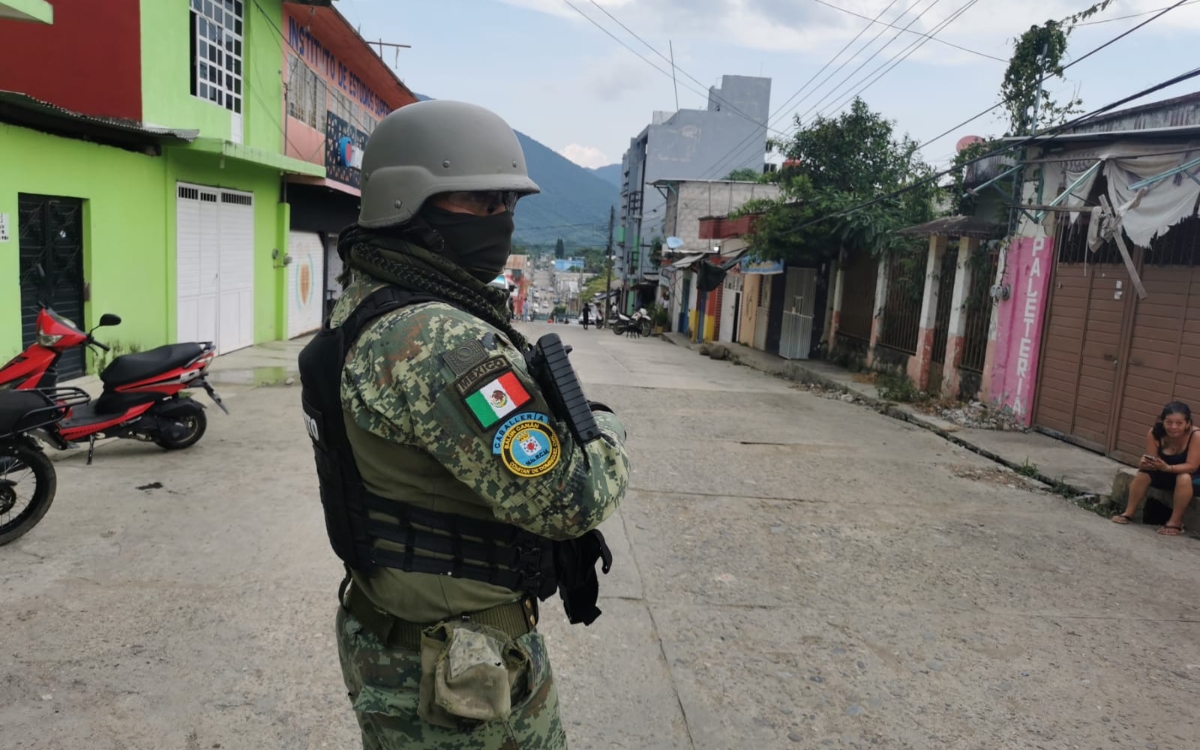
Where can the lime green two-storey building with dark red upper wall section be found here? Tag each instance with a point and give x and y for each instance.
(145, 170)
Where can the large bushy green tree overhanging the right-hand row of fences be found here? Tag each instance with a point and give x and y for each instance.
(842, 163)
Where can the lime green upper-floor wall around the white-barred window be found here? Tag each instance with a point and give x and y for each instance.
(166, 74)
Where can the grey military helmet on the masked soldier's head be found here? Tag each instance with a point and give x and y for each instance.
(437, 147)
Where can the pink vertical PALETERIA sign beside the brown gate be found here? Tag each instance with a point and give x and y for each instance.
(1019, 325)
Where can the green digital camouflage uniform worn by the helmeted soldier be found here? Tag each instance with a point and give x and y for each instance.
(417, 441)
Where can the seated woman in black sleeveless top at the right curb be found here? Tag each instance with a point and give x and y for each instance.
(1172, 459)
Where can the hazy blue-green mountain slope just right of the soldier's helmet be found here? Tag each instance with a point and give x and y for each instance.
(573, 205)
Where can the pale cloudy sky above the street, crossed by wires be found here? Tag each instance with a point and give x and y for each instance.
(556, 76)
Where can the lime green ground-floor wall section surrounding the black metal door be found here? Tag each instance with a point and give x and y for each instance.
(124, 231)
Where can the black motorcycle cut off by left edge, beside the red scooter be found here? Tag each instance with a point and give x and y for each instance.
(27, 476)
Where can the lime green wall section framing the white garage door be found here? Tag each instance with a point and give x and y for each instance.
(205, 170)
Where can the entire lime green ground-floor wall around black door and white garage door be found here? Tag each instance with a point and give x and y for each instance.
(130, 231)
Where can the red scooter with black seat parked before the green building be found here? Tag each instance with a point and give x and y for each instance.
(142, 398)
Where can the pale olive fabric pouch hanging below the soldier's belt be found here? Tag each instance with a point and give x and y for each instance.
(469, 674)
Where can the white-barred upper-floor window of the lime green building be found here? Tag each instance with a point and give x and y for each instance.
(217, 38)
